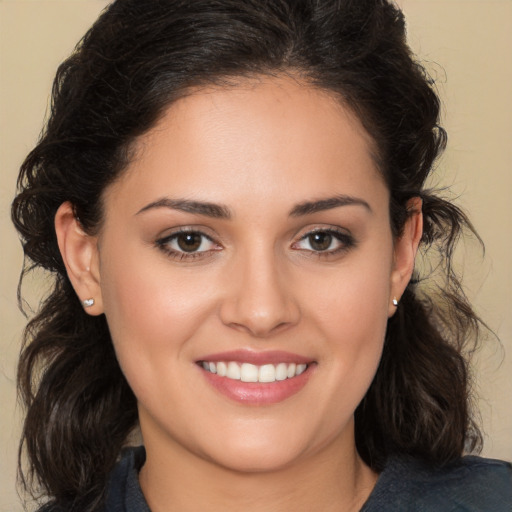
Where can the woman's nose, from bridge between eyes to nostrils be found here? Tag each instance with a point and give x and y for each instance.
(260, 300)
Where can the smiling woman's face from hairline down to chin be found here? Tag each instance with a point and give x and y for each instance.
(246, 268)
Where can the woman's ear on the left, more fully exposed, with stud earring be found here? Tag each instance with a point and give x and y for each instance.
(80, 254)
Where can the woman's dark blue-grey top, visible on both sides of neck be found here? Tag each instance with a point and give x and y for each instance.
(472, 484)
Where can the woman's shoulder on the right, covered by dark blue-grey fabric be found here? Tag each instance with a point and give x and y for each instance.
(472, 484)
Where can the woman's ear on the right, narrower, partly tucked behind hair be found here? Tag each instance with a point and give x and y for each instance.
(405, 249)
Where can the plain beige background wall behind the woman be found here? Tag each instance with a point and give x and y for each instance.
(468, 46)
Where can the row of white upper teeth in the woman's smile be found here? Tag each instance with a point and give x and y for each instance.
(247, 372)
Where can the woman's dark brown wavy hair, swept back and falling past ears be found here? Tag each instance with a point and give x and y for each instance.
(140, 56)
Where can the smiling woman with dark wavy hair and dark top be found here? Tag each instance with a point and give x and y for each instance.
(230, 195)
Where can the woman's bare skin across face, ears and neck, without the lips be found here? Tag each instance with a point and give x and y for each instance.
(259, 149)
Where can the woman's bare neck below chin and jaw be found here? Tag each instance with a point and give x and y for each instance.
(333, 479)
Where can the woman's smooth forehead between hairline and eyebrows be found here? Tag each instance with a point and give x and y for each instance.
(256, 138)
